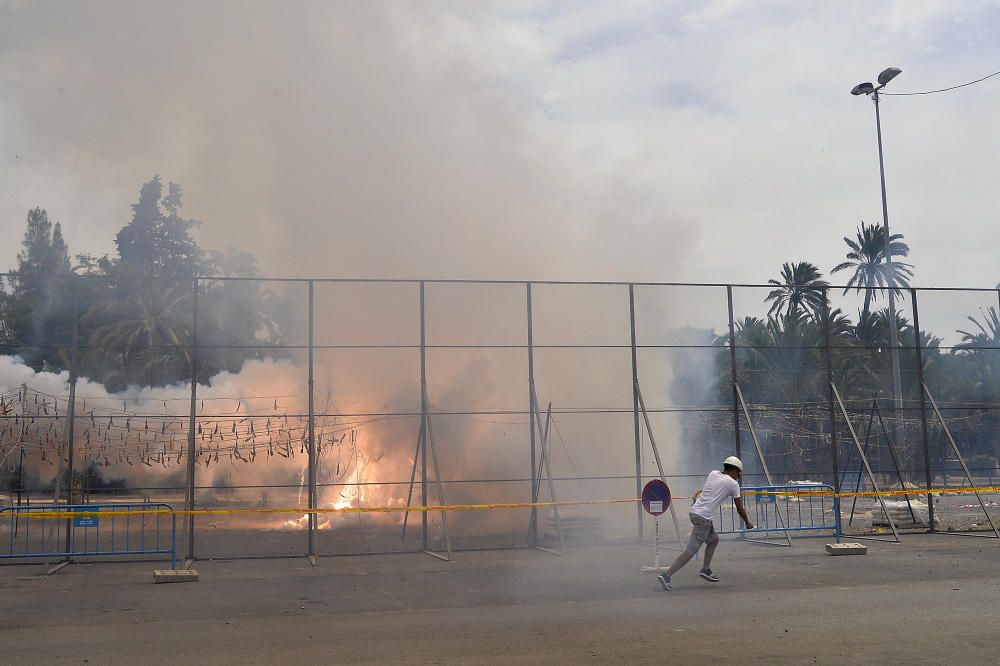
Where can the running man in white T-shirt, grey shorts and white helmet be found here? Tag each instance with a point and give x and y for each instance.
(719, 486)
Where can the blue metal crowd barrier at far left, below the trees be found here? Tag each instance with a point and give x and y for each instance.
(33, 535)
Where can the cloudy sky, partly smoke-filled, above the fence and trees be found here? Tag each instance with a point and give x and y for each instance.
(643, 140)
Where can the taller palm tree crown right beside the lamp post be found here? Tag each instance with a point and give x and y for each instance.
(867, 259)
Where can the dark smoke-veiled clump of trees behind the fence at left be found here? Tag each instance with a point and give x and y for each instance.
(135, 308)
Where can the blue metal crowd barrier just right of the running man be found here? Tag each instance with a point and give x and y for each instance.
(781, 509)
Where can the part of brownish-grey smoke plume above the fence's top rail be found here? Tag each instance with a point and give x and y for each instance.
(328, 138)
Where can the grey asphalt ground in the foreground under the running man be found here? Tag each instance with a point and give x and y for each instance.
(931, 599)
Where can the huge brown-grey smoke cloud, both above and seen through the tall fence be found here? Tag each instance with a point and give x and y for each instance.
(345, 139)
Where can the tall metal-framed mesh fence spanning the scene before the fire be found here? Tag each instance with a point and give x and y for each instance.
(363, 386)
